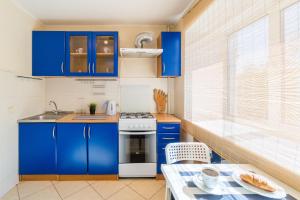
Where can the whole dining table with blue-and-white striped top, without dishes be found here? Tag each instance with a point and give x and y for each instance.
(180, 184)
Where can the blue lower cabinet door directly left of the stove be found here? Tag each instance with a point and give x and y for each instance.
(103, 148)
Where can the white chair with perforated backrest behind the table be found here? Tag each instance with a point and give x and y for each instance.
(185, 151)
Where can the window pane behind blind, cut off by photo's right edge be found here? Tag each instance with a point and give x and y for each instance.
(291, 74)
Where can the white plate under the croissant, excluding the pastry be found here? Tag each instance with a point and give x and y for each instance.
(278, 194)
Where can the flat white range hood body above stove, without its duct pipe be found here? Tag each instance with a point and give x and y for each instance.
(140, 52)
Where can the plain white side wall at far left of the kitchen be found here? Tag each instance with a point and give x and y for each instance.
(19, 97)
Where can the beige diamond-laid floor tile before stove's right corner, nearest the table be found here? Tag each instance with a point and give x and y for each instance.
(146, 188)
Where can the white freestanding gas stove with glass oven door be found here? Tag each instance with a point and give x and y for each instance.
(137, 145)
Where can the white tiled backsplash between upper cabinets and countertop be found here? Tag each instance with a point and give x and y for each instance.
(75, 94)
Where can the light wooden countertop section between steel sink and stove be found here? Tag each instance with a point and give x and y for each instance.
(70, 119)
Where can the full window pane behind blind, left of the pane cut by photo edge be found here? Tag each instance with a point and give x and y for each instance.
(247, 61)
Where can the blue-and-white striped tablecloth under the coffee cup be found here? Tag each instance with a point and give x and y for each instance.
(179, 178)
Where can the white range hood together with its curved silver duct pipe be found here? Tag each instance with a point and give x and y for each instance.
(139, 51)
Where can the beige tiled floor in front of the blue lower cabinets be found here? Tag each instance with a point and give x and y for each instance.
(124, 189)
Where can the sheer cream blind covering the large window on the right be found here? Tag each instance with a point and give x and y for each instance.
(242, 77)
